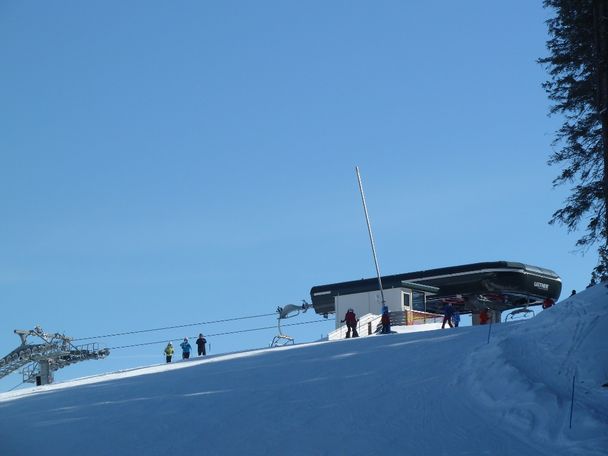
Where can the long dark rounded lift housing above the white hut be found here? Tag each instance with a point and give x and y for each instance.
(498, 285)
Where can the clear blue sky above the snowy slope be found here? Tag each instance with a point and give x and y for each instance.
(169, 163)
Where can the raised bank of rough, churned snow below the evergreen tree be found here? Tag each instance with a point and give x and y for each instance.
(526, 376)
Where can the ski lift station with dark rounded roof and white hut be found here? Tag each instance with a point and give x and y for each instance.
(498, 286)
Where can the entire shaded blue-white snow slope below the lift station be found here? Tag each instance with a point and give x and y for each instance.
(443, 392)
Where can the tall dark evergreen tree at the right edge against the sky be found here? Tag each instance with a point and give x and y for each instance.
(578, 87)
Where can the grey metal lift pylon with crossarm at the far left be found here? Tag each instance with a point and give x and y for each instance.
(40, 360)
